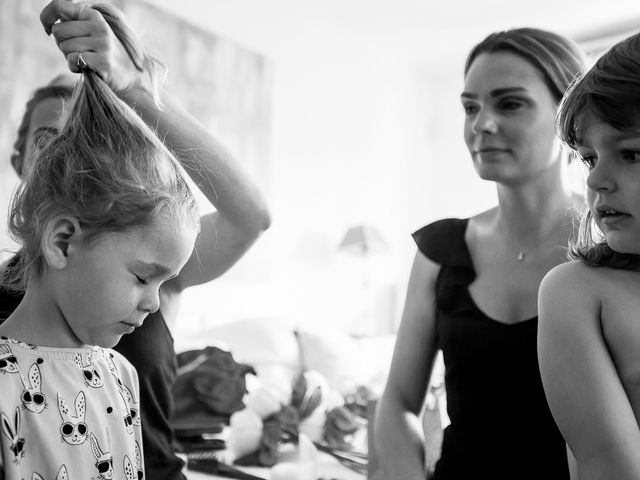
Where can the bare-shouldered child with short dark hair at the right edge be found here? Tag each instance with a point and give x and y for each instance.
(589, 337)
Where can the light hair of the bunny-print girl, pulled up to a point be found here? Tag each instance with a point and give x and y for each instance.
(107, 169)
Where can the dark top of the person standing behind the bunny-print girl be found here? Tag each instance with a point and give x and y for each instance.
(150, 350)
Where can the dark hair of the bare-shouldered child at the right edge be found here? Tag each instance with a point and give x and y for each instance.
(608, 92)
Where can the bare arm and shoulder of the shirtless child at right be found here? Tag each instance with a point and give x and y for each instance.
(581, 383)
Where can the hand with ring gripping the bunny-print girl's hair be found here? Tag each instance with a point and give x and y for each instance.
(87, 29)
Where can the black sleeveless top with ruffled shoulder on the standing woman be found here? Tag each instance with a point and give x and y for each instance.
(501, 426)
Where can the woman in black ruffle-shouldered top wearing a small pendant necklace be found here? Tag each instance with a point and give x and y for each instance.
(473, 286)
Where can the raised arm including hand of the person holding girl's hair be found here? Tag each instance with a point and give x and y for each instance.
(241, 214)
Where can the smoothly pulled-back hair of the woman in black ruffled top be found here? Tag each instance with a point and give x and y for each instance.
(556, 57)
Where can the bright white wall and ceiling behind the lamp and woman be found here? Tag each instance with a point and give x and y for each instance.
(366, 129)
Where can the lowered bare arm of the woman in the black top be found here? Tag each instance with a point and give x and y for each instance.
(399, 438)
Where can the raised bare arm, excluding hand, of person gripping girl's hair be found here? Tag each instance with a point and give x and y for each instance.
(241, 214)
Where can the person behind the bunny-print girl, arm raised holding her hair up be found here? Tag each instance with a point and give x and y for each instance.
(241, 213)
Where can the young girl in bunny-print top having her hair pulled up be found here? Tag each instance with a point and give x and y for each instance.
(104, 217)
